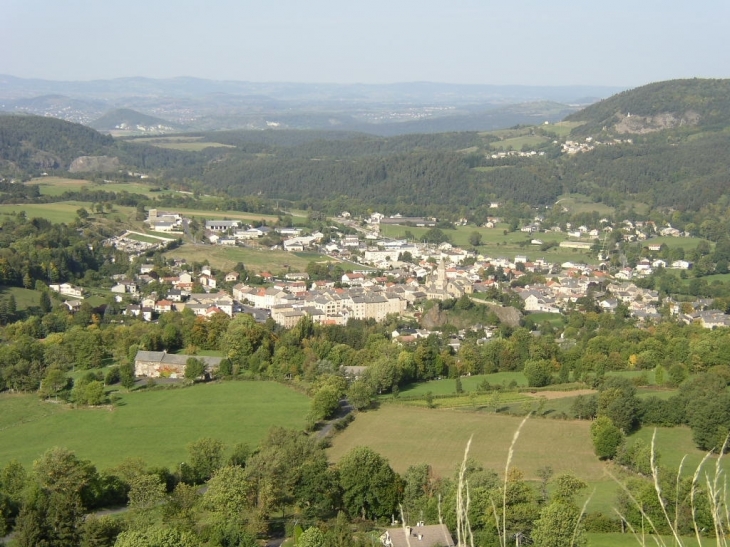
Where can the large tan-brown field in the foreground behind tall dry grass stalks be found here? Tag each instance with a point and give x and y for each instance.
(408, 436)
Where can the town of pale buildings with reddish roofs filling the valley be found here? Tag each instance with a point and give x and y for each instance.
(388, 276)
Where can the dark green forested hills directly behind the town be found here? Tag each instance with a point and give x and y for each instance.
(662, 144)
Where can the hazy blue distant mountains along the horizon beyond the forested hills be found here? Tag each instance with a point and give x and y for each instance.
(198, 104)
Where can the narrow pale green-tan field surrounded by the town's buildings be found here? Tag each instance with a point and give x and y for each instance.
(259, 260)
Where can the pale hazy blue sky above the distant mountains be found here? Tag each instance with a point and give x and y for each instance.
(530, 42)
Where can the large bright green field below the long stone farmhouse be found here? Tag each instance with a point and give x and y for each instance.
(155, 426)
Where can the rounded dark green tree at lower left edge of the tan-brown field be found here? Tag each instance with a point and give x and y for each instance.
(369, 485)
